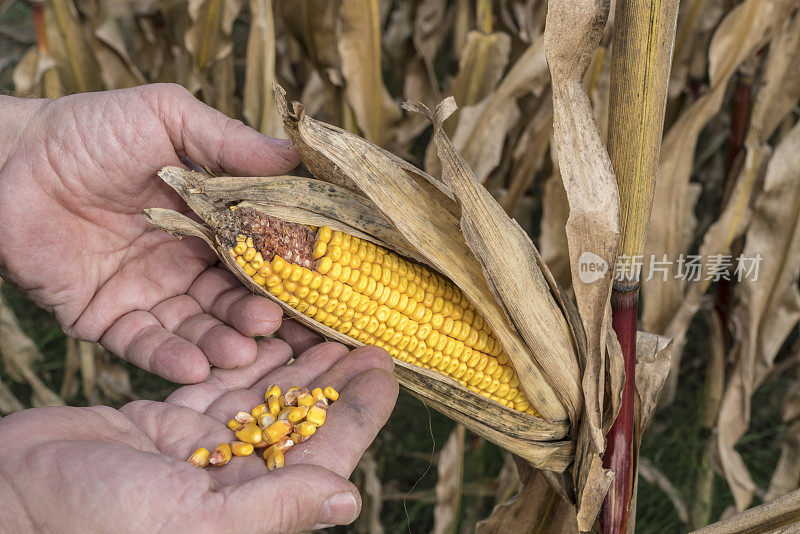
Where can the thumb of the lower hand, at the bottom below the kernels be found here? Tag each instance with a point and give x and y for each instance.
(292, 499)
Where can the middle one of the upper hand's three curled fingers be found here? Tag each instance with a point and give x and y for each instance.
(223, 346)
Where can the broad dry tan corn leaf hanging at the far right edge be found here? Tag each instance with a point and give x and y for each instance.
(768, 307)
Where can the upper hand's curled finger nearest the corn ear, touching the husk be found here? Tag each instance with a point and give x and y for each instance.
(220, 294)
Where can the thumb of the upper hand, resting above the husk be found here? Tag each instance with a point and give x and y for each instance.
(214, 139)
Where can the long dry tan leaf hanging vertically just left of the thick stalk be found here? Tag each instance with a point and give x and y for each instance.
(572, 33)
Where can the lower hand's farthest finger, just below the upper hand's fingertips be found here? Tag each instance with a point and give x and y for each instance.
(271, 354)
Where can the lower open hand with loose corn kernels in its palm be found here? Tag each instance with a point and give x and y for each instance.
(98, 469)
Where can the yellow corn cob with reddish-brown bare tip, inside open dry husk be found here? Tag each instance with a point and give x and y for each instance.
(376, 297)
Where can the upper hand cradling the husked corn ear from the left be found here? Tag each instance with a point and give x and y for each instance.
(75, 174)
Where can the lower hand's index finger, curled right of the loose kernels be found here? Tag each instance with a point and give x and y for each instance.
(353, 421)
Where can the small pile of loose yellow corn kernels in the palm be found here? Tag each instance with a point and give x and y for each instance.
(276, 426)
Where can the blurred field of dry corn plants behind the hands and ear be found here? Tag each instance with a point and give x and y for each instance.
(728, 179)
